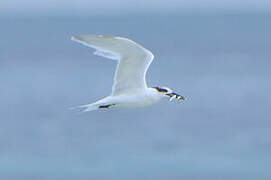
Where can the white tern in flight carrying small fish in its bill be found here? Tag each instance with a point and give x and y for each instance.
(129, 88)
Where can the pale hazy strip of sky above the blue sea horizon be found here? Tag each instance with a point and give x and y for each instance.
(93, 7)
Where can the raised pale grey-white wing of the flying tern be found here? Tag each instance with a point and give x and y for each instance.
(133, 60)
